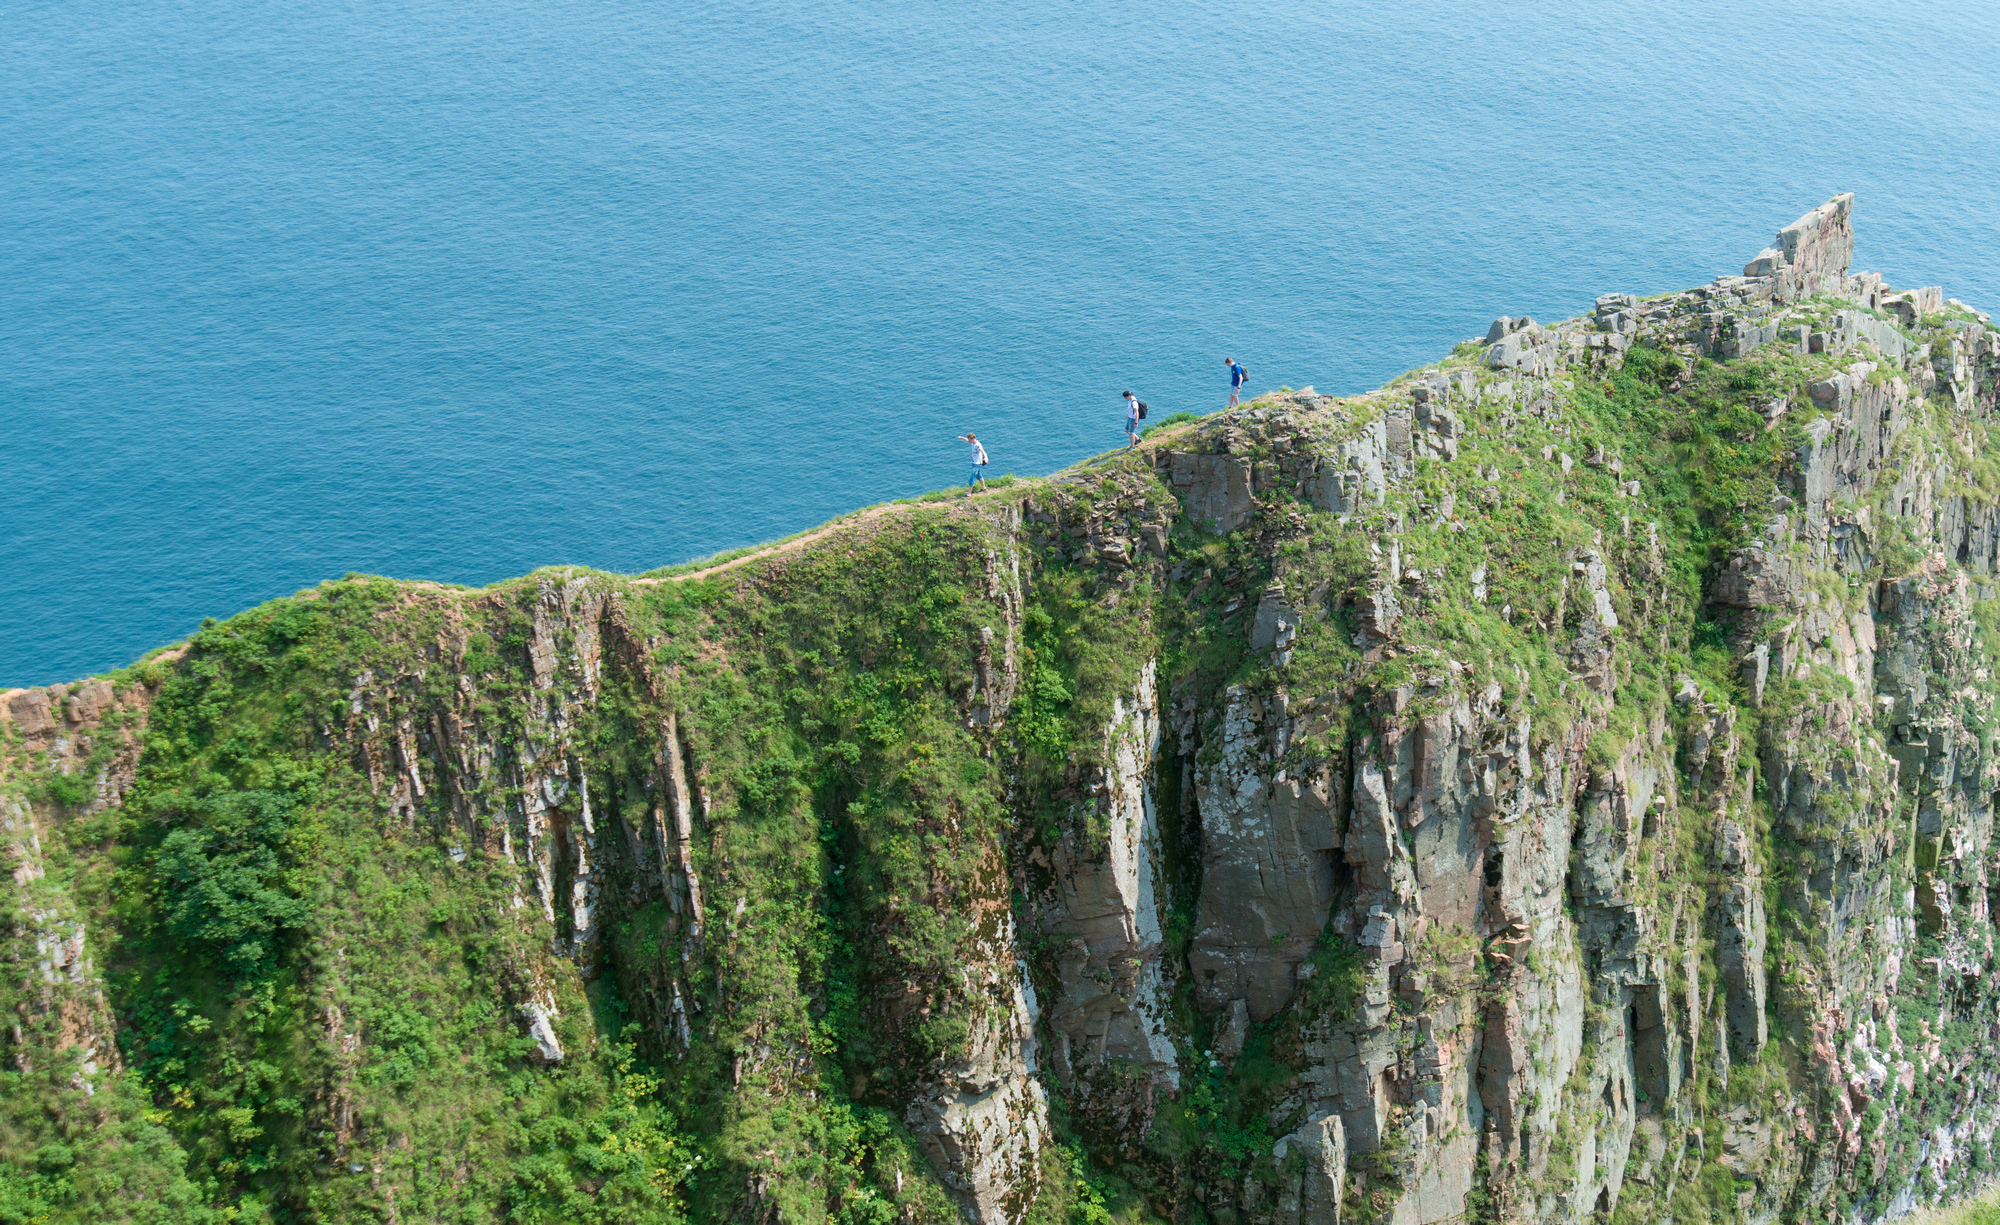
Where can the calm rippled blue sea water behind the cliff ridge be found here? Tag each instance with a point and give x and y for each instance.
(453, 289)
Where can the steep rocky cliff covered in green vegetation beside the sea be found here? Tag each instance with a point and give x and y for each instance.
(1557, 786)
